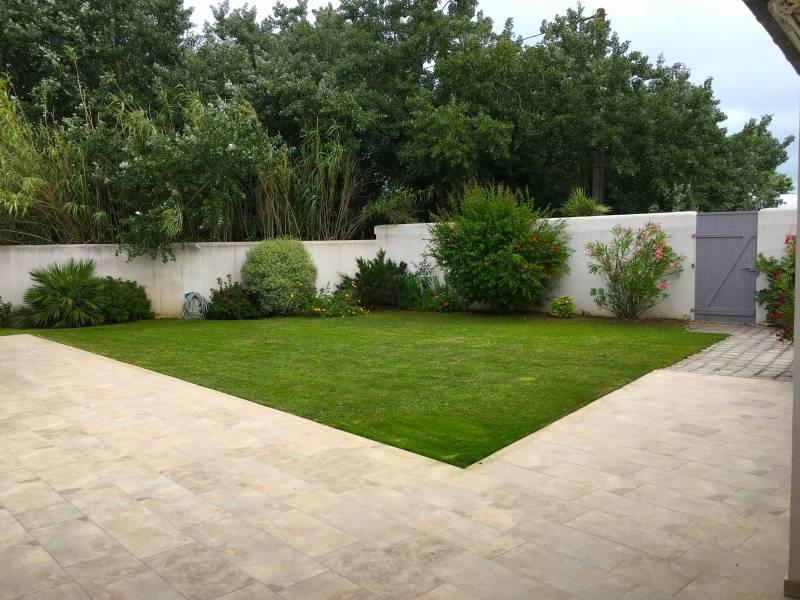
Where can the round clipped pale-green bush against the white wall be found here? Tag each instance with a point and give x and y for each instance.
(281, 275)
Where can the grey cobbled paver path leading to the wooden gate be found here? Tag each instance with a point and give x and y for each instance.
(750, 351)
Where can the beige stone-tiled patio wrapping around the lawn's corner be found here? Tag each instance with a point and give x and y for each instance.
(119, 483)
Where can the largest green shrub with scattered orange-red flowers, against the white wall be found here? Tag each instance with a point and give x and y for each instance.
(495, 249)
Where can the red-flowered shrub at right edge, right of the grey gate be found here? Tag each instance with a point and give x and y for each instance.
(778, 296)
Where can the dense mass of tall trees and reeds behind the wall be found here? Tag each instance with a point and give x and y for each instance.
(123, 121)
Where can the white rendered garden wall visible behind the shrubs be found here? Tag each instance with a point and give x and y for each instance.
(198, 265)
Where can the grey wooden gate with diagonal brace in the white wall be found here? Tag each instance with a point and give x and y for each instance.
(725, 273)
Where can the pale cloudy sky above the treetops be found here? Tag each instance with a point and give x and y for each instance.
(715, 38)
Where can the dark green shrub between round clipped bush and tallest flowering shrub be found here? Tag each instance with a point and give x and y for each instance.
(377, 281)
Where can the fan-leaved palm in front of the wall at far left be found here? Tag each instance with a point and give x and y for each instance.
(66, 295)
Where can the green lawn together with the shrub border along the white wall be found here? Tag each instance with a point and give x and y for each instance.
(394, 353)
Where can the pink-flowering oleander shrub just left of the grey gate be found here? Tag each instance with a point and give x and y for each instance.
(634, 267)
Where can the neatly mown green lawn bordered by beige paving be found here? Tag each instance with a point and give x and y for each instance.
(455, 387)
